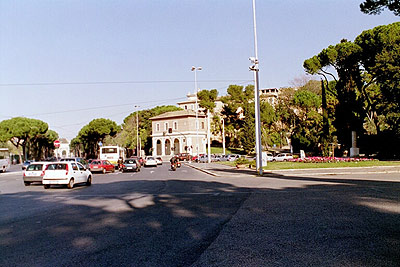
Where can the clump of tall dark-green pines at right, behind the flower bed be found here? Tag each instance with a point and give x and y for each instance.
(367, 82)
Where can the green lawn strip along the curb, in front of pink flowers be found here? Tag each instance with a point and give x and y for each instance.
(302, 165)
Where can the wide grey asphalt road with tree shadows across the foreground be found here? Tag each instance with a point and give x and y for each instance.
(159, 217)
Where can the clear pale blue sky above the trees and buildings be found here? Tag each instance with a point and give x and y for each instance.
(61, 45)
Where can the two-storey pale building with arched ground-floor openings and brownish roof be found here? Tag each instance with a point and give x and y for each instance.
(175, 132)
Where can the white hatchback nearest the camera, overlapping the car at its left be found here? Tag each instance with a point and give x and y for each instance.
(66, 173)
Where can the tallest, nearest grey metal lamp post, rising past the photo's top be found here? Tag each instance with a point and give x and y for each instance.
(254, 67)
